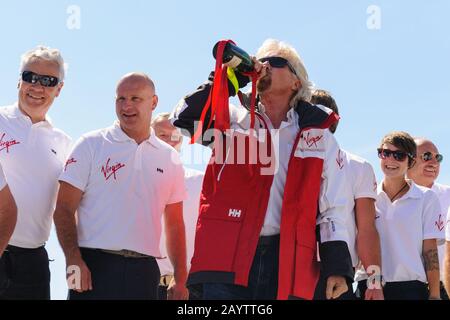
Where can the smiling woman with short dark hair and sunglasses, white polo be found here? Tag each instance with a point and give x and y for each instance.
(405, 219)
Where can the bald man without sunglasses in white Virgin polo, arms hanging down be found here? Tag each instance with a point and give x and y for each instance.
(117, 185)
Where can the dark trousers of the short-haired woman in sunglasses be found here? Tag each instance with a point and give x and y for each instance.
(402, 290)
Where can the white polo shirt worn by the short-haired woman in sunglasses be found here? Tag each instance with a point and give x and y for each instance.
(403, 226)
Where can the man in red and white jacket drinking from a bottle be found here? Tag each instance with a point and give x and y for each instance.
(256, 233)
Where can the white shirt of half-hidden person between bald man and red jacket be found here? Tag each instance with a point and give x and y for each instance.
(194, 181)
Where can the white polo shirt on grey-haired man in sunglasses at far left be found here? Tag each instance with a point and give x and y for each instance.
(32, 157)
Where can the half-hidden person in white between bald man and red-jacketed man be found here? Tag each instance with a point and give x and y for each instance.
(165, 131)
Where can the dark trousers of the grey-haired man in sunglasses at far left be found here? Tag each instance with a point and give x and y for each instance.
(24, 274)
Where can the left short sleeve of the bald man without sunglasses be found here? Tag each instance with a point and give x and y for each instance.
(78, 165)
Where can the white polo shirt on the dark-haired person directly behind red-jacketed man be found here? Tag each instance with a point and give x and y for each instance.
(360, 183)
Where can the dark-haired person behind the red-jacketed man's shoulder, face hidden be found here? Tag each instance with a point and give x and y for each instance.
(360, 186)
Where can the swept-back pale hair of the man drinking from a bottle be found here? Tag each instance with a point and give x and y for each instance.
(288, 52)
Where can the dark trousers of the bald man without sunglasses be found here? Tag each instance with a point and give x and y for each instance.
(115, 277)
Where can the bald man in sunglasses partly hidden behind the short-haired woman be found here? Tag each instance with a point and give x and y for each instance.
(425, 172)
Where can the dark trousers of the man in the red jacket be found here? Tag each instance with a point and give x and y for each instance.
(263, 277)
